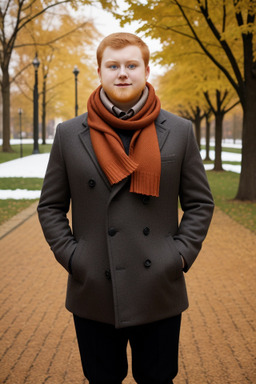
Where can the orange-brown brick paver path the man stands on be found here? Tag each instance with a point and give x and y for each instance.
(218, 346)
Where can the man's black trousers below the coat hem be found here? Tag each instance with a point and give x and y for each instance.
(154, 351)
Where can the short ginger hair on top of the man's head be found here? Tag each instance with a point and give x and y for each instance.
(121, 40)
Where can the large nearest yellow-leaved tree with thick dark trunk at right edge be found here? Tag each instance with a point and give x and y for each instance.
(228, 27)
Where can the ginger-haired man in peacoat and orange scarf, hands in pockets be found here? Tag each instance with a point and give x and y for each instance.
(124, 165)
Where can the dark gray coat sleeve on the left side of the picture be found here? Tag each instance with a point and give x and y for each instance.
(54, 205)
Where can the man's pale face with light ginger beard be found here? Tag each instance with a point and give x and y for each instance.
(123, 75)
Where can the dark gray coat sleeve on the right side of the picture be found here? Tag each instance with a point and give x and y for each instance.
(196, 202)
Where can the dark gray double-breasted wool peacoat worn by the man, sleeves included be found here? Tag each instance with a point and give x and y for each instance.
(126, 248)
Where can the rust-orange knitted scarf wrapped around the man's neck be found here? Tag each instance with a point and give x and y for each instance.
(144, 161)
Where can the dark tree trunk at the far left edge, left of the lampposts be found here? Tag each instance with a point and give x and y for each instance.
(6, 147)
